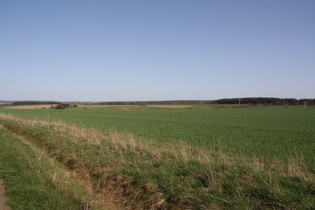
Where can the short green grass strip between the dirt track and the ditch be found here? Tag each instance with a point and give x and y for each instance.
(35, 181)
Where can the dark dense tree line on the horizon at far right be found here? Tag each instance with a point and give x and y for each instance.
(266, 101)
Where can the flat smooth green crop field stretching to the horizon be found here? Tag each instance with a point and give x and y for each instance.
(275, 132)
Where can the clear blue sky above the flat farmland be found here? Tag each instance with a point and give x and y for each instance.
(113, 50)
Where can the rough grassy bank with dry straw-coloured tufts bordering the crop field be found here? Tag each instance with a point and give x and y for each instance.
(153, 174)
